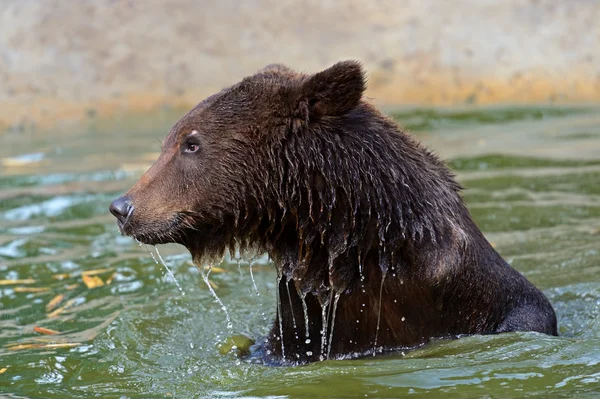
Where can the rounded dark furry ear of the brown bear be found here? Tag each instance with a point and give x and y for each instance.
(334, 91)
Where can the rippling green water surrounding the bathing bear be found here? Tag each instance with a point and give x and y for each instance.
(533, 185)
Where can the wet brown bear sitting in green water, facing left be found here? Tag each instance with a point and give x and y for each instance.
(374, 247)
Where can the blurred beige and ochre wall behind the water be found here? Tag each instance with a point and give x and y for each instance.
(70, 60)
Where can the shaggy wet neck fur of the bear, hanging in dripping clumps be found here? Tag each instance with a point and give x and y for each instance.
(355, 187)
